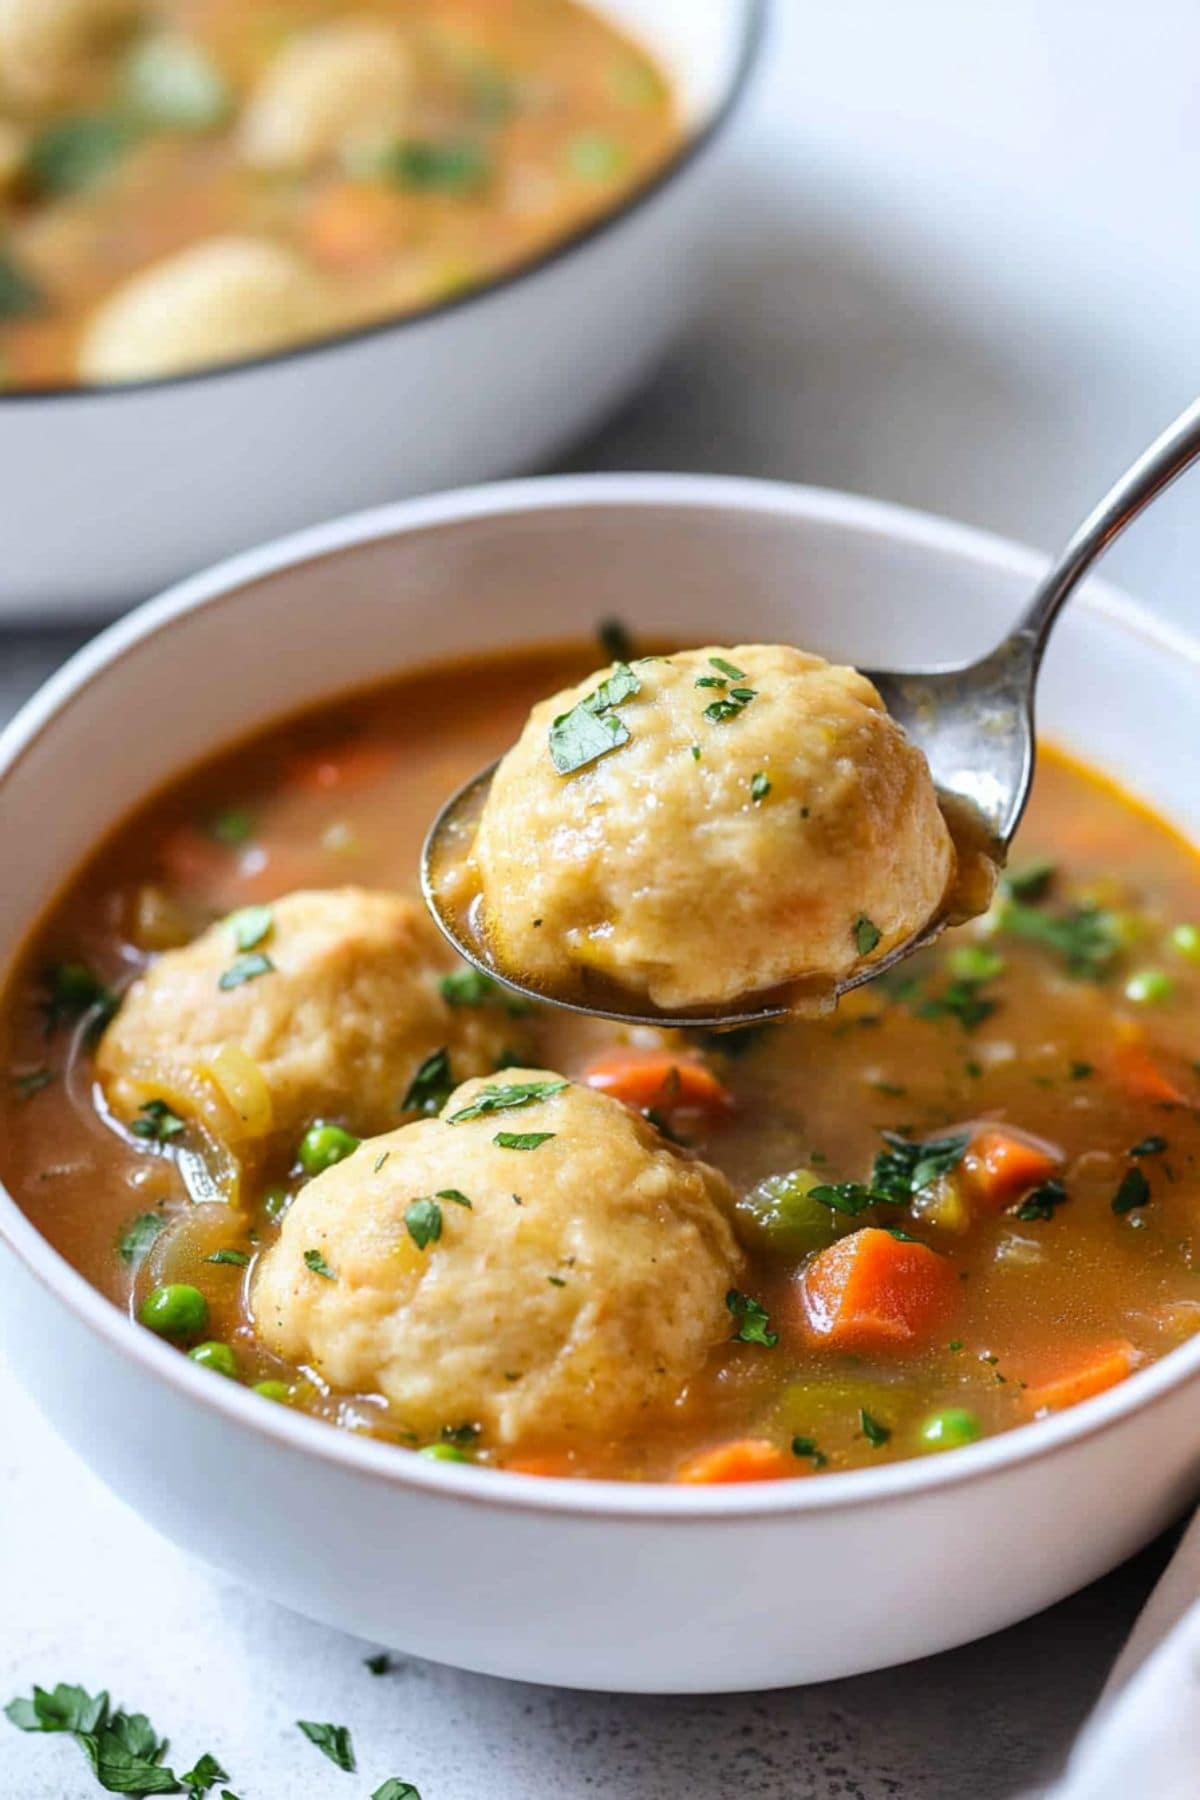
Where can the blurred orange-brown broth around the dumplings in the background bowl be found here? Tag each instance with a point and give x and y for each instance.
(568, 114)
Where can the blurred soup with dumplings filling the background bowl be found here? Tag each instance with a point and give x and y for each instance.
(197, 181)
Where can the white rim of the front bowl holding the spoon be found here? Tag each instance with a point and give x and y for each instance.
(496, 1488)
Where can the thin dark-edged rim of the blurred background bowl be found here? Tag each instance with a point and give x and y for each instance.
(694, 147)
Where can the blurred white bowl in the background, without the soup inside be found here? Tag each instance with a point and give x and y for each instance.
(112, 492)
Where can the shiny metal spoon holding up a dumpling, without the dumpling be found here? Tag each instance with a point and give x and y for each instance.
(974, 723)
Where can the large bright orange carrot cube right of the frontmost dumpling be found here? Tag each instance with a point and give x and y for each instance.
(872, 1291)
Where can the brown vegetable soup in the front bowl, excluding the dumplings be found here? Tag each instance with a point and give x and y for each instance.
(1003, 1142)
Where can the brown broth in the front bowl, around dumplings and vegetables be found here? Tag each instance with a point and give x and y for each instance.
(346, 795)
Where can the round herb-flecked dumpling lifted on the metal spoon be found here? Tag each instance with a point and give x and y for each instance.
(704, 827)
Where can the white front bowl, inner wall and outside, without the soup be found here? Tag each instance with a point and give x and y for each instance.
(580, 1583)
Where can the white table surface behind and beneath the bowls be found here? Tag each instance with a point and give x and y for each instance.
(960, 269)
